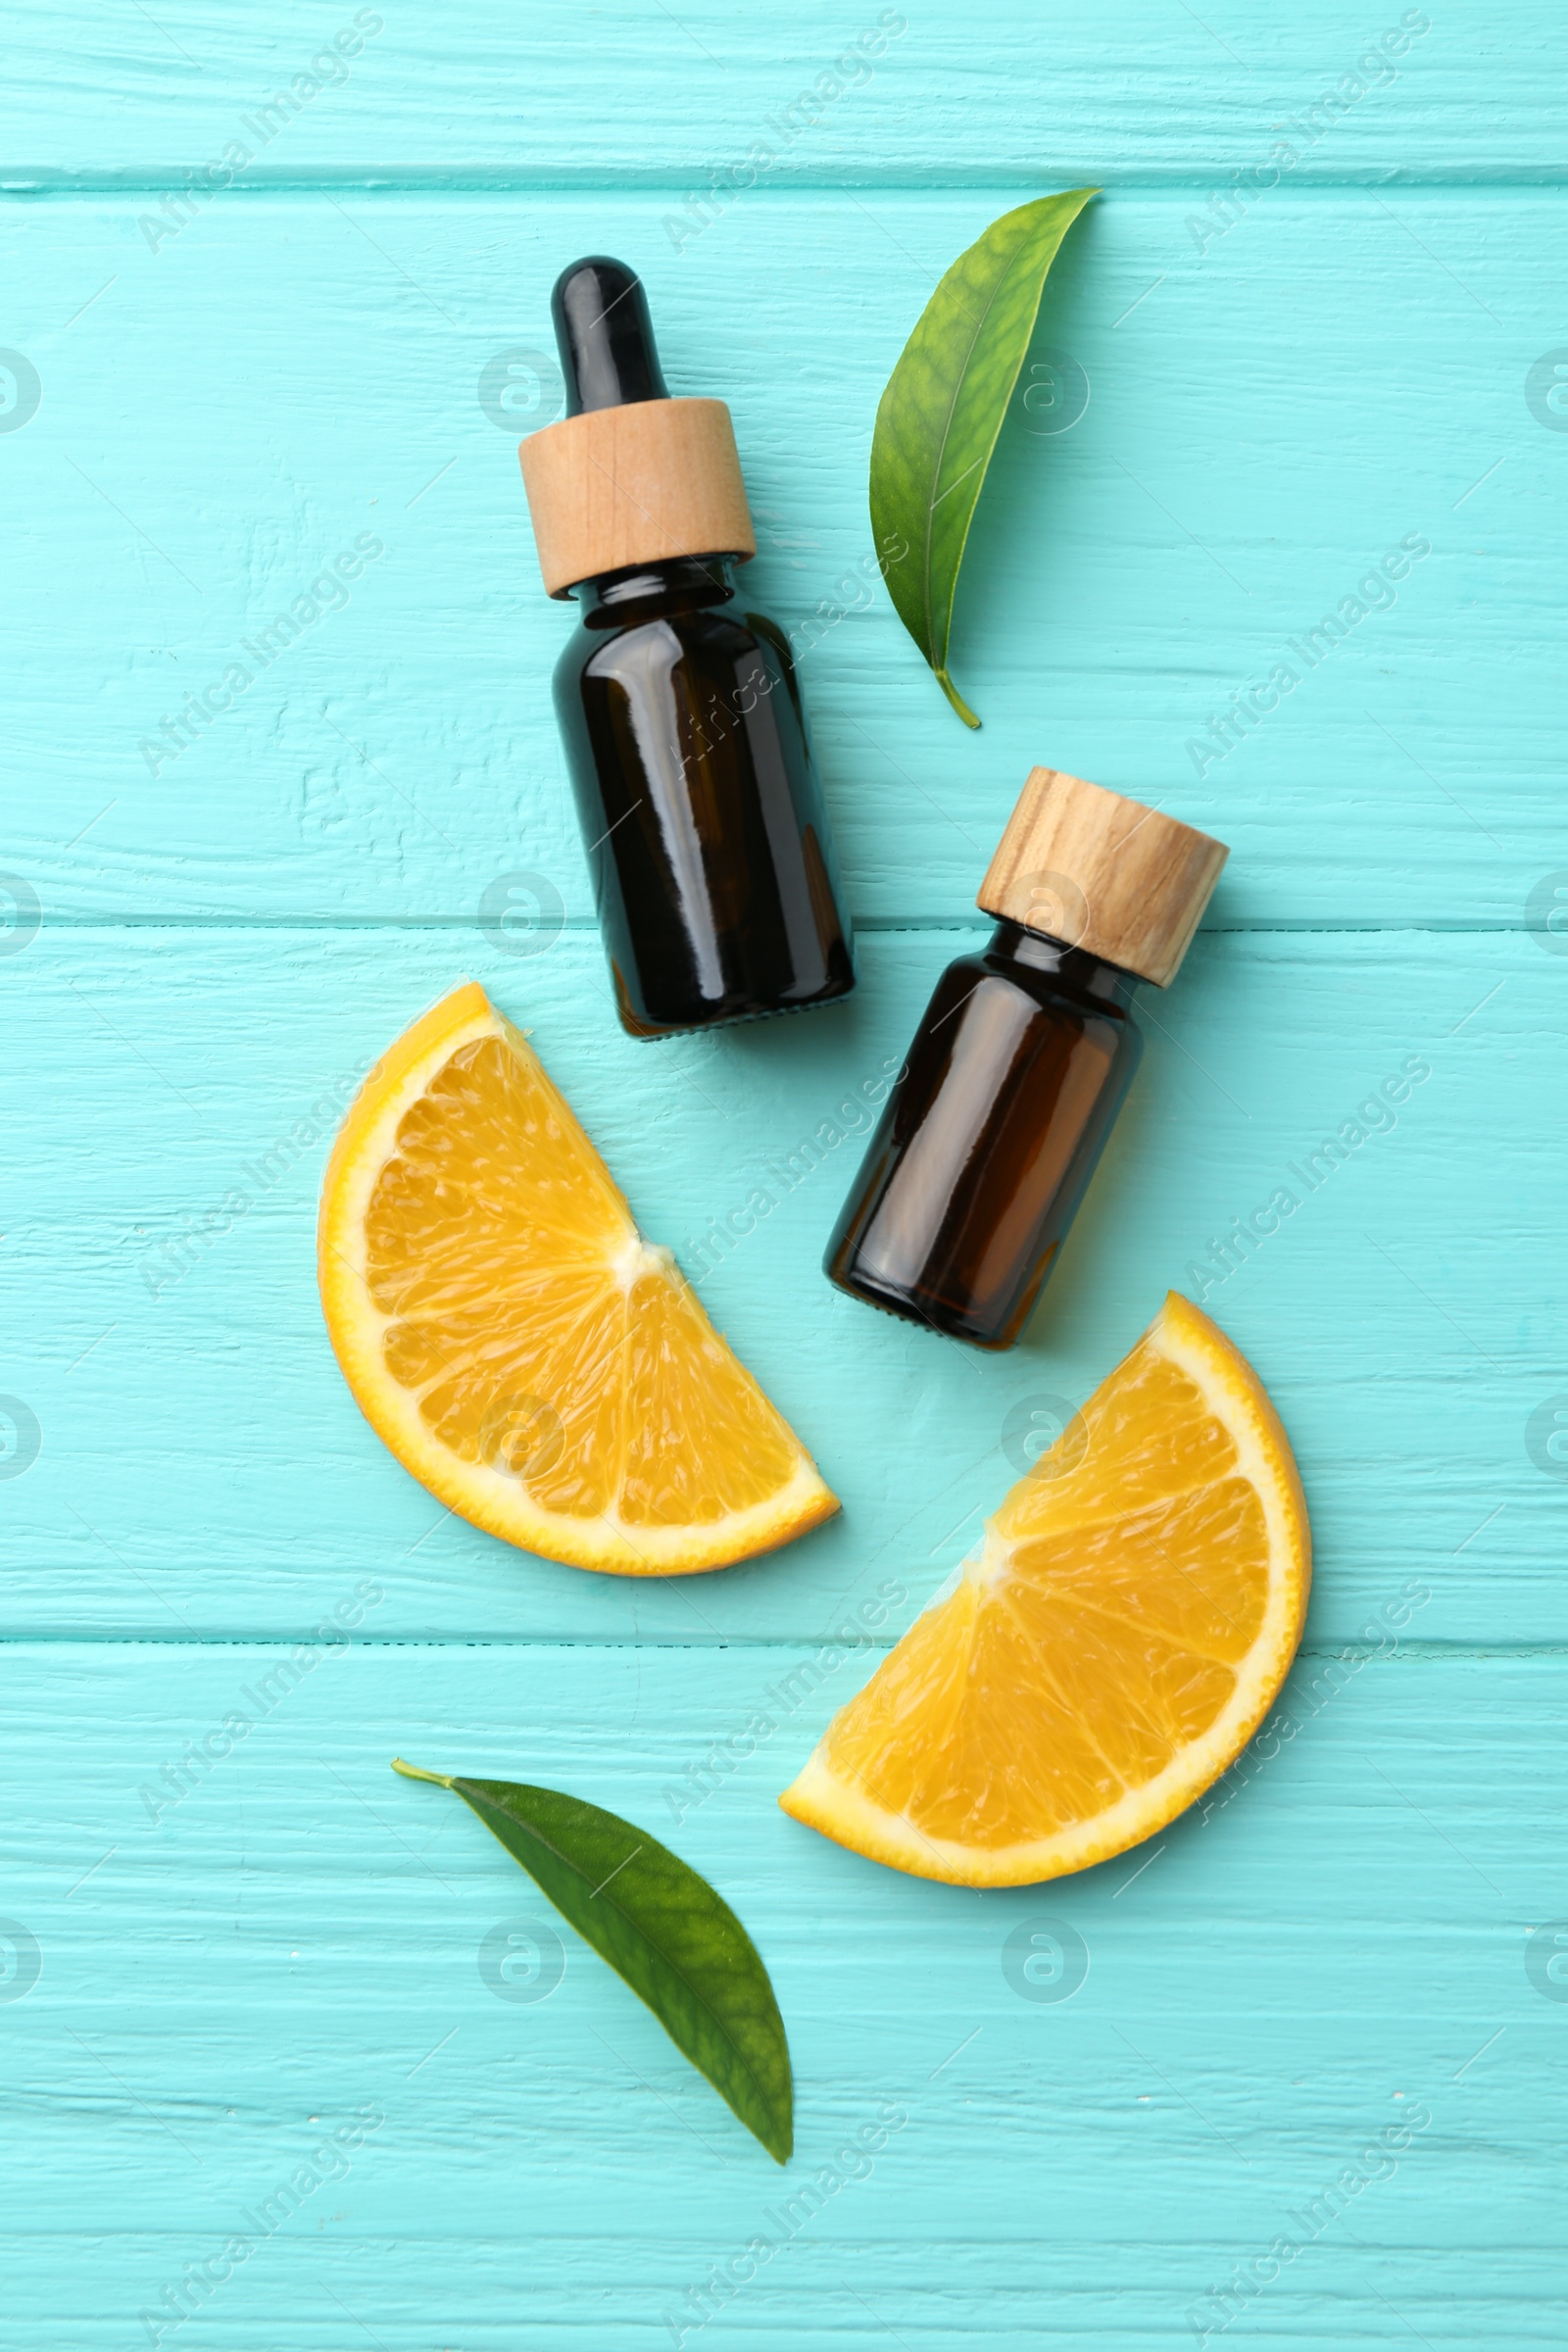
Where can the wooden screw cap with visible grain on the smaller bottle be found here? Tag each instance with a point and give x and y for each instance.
(1104, 874)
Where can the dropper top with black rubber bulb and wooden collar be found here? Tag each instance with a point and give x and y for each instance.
(629, 476)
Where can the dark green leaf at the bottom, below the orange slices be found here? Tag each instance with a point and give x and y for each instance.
(664, 1930)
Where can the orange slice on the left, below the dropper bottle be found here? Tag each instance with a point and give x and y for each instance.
(516, 1342)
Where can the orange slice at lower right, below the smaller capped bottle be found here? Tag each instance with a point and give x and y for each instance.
(1108, 1648)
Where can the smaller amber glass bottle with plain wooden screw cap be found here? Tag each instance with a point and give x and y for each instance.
(1021, 1062)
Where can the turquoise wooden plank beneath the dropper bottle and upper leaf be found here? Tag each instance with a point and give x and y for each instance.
(1261, 439)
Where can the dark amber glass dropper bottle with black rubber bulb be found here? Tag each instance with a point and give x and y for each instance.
(683, 721)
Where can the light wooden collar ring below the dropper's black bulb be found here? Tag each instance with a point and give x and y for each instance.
(636, 486)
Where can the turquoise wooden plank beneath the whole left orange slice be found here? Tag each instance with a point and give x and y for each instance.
(206, 1471)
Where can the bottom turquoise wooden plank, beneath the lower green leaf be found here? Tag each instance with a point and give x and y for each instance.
(1334, 1956)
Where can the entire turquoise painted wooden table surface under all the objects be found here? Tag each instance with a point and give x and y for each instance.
(1306, 2080)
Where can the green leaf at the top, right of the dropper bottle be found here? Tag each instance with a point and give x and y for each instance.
(942, 415)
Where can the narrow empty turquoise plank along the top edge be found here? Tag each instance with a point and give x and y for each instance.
(676, 98)
